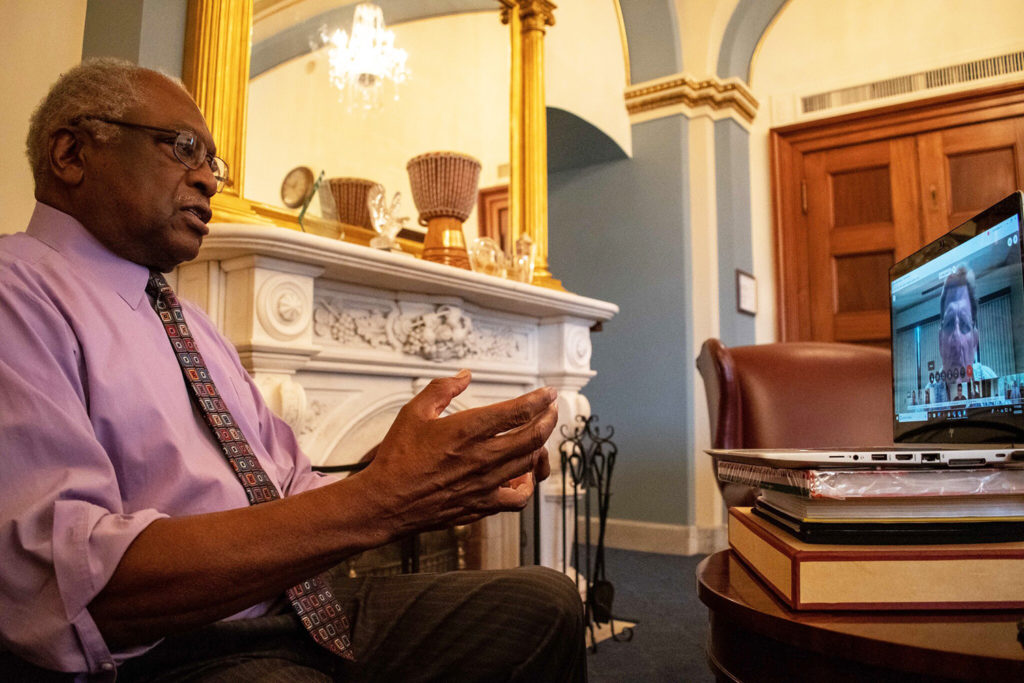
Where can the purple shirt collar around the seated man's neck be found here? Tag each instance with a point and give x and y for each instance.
(68, 237)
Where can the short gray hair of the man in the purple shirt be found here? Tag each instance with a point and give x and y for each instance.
(103, 88)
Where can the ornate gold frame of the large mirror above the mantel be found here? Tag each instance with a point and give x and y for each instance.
(216, 69)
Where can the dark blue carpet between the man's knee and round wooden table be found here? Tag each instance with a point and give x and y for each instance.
(659, 592)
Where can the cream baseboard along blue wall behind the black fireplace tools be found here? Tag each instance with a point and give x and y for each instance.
(660, 538)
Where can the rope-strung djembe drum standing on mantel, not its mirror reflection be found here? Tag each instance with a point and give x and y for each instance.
(444, 186)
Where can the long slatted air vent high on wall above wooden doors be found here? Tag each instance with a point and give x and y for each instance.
(902, 86)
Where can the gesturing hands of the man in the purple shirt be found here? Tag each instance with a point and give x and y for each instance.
(434, 472)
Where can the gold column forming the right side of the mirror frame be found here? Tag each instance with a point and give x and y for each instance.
(535, 17)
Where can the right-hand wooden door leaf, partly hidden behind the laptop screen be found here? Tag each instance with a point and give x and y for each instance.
(966, 169)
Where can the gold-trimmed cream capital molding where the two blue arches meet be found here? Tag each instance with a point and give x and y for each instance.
(717, 99)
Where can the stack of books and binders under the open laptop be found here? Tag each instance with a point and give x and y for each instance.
(884, 539)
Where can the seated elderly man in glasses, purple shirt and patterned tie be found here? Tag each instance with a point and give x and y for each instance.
(157, 522)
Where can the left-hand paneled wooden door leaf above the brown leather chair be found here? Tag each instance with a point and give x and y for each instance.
(862, 217)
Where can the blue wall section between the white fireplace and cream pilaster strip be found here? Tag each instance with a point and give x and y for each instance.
(620, 232)
